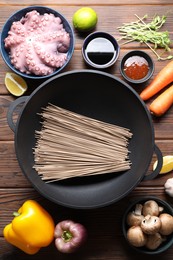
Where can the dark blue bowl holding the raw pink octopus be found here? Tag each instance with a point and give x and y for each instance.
(16, 17)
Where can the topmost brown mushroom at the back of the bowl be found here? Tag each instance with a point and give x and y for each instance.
(151, 208)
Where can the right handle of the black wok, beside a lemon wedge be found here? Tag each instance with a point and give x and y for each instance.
(159, 165)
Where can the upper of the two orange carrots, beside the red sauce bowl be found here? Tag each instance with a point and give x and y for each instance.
(162, 79)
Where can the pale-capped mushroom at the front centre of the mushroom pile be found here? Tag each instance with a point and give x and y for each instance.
(151, 224)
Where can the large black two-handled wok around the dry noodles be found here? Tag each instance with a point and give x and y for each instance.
(98, 95)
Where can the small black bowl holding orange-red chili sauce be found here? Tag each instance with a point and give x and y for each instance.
(142, 55)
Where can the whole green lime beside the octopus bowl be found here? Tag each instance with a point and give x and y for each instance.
(85, 19)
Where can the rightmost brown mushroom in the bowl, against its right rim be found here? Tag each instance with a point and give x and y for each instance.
(166, 224)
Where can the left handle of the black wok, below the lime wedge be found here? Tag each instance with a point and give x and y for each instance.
(11, 110)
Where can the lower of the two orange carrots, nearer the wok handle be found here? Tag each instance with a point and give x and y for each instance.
(162, 103)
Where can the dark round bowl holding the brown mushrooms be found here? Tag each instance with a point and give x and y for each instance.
(167, 209)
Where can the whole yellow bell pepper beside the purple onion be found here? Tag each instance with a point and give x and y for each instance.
(32, 229)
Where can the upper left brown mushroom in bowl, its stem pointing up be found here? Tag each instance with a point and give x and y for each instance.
(135, 217)
